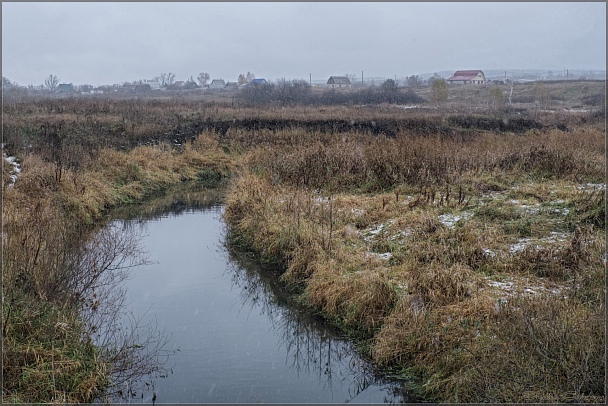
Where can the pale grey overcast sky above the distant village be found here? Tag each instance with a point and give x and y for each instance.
(114, 42)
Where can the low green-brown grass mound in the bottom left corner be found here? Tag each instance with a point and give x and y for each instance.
(45, 357)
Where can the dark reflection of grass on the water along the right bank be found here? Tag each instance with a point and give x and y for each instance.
(311, 346)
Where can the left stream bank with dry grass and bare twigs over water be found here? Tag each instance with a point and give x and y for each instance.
(58, 270)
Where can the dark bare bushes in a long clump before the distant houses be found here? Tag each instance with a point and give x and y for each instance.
(299, 92)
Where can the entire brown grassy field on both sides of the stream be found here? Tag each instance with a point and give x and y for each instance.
(461, 244)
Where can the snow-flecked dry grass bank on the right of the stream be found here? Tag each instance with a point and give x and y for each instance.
(475, 266)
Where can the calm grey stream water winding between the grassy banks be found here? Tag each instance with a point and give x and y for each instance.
(236, 339)
